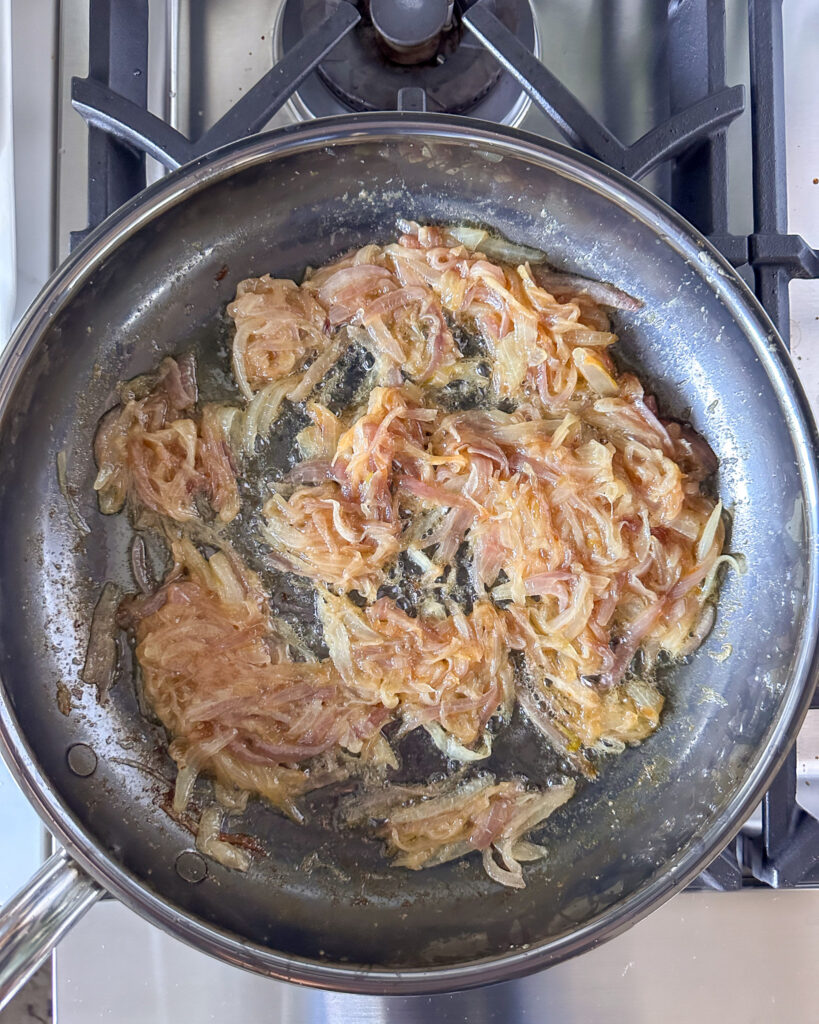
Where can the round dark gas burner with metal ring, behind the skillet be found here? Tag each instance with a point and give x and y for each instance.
(401, 45)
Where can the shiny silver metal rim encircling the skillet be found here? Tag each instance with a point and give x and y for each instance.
(741, 305)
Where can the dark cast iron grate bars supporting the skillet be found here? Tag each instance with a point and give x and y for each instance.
(691, 143)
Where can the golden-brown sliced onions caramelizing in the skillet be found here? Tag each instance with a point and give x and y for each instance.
(520, 548)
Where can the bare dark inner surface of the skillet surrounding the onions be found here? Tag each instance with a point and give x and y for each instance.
(163, 291)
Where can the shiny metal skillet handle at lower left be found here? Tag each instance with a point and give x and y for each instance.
(38, 916)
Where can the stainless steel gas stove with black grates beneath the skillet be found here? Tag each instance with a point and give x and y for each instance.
(711, 104)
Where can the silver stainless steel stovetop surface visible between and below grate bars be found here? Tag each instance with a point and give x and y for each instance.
(749, 955)
